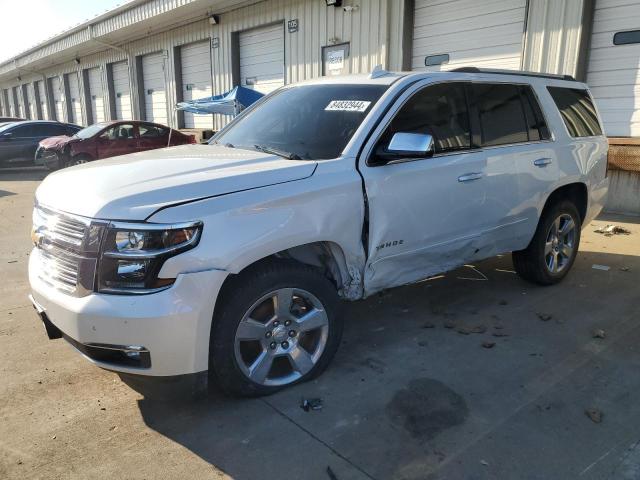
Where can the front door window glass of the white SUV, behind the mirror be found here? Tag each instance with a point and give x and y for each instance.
(440, 111)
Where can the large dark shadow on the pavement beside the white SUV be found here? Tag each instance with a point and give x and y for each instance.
(413, 393)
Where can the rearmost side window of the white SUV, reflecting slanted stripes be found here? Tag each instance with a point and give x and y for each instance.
(577, 110)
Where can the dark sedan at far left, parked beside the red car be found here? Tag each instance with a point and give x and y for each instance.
(19, 140)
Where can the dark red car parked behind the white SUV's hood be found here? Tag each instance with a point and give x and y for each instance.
(108, 139)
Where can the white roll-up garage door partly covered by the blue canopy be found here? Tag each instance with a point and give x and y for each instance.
(196, 80)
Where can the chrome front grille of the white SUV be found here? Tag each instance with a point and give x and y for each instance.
(59, 239)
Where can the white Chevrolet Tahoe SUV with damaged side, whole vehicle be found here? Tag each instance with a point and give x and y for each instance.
(232, 258)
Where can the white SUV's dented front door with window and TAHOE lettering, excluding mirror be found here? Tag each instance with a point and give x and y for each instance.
(427, 215)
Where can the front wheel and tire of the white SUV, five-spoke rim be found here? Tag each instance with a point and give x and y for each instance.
(274, 348)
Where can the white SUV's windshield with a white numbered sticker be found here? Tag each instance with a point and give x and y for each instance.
(309, 122)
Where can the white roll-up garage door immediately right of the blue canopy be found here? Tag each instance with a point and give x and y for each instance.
(262, 58)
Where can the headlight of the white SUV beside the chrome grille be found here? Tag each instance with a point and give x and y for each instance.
(133, 254)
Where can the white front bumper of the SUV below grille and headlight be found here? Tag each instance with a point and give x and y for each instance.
(173, 325)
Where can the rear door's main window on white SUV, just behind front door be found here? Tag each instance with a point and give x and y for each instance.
(502, 118)
